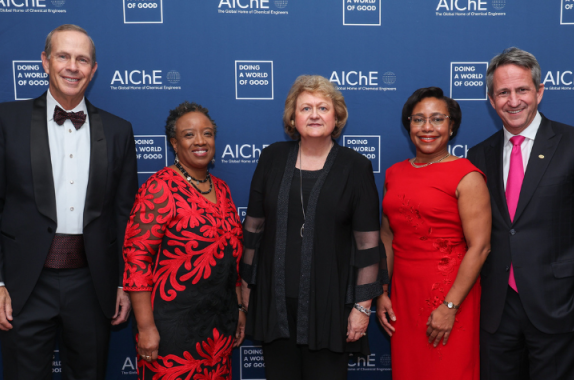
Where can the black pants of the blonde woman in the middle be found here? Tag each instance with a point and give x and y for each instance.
(287, 360)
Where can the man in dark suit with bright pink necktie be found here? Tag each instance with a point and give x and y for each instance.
(527, 305)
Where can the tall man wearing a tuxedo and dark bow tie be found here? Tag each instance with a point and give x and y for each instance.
(68, 179)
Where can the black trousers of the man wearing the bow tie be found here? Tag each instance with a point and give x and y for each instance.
(64, 304)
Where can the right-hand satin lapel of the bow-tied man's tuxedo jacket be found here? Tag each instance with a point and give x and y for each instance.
(96, 190)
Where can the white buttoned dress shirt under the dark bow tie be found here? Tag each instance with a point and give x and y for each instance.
(70, 156)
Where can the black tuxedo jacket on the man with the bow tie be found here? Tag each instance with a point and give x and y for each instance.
(28, 203)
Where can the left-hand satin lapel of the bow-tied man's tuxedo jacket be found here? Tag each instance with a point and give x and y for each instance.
(41, 163)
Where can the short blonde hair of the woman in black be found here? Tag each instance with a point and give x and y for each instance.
(320, 85)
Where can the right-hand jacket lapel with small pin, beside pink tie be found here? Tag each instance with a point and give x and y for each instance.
(545, 145)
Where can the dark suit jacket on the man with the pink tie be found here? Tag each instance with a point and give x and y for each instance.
(540, 240)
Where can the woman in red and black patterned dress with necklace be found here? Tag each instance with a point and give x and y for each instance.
(182, 249)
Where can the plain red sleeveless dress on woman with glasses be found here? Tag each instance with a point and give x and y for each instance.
(428, 246)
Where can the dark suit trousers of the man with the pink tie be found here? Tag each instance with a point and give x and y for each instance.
(519, 351)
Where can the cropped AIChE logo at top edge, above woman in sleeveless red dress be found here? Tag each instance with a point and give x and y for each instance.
(469, 8)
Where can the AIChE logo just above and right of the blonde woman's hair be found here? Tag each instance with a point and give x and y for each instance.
(354, 80)
